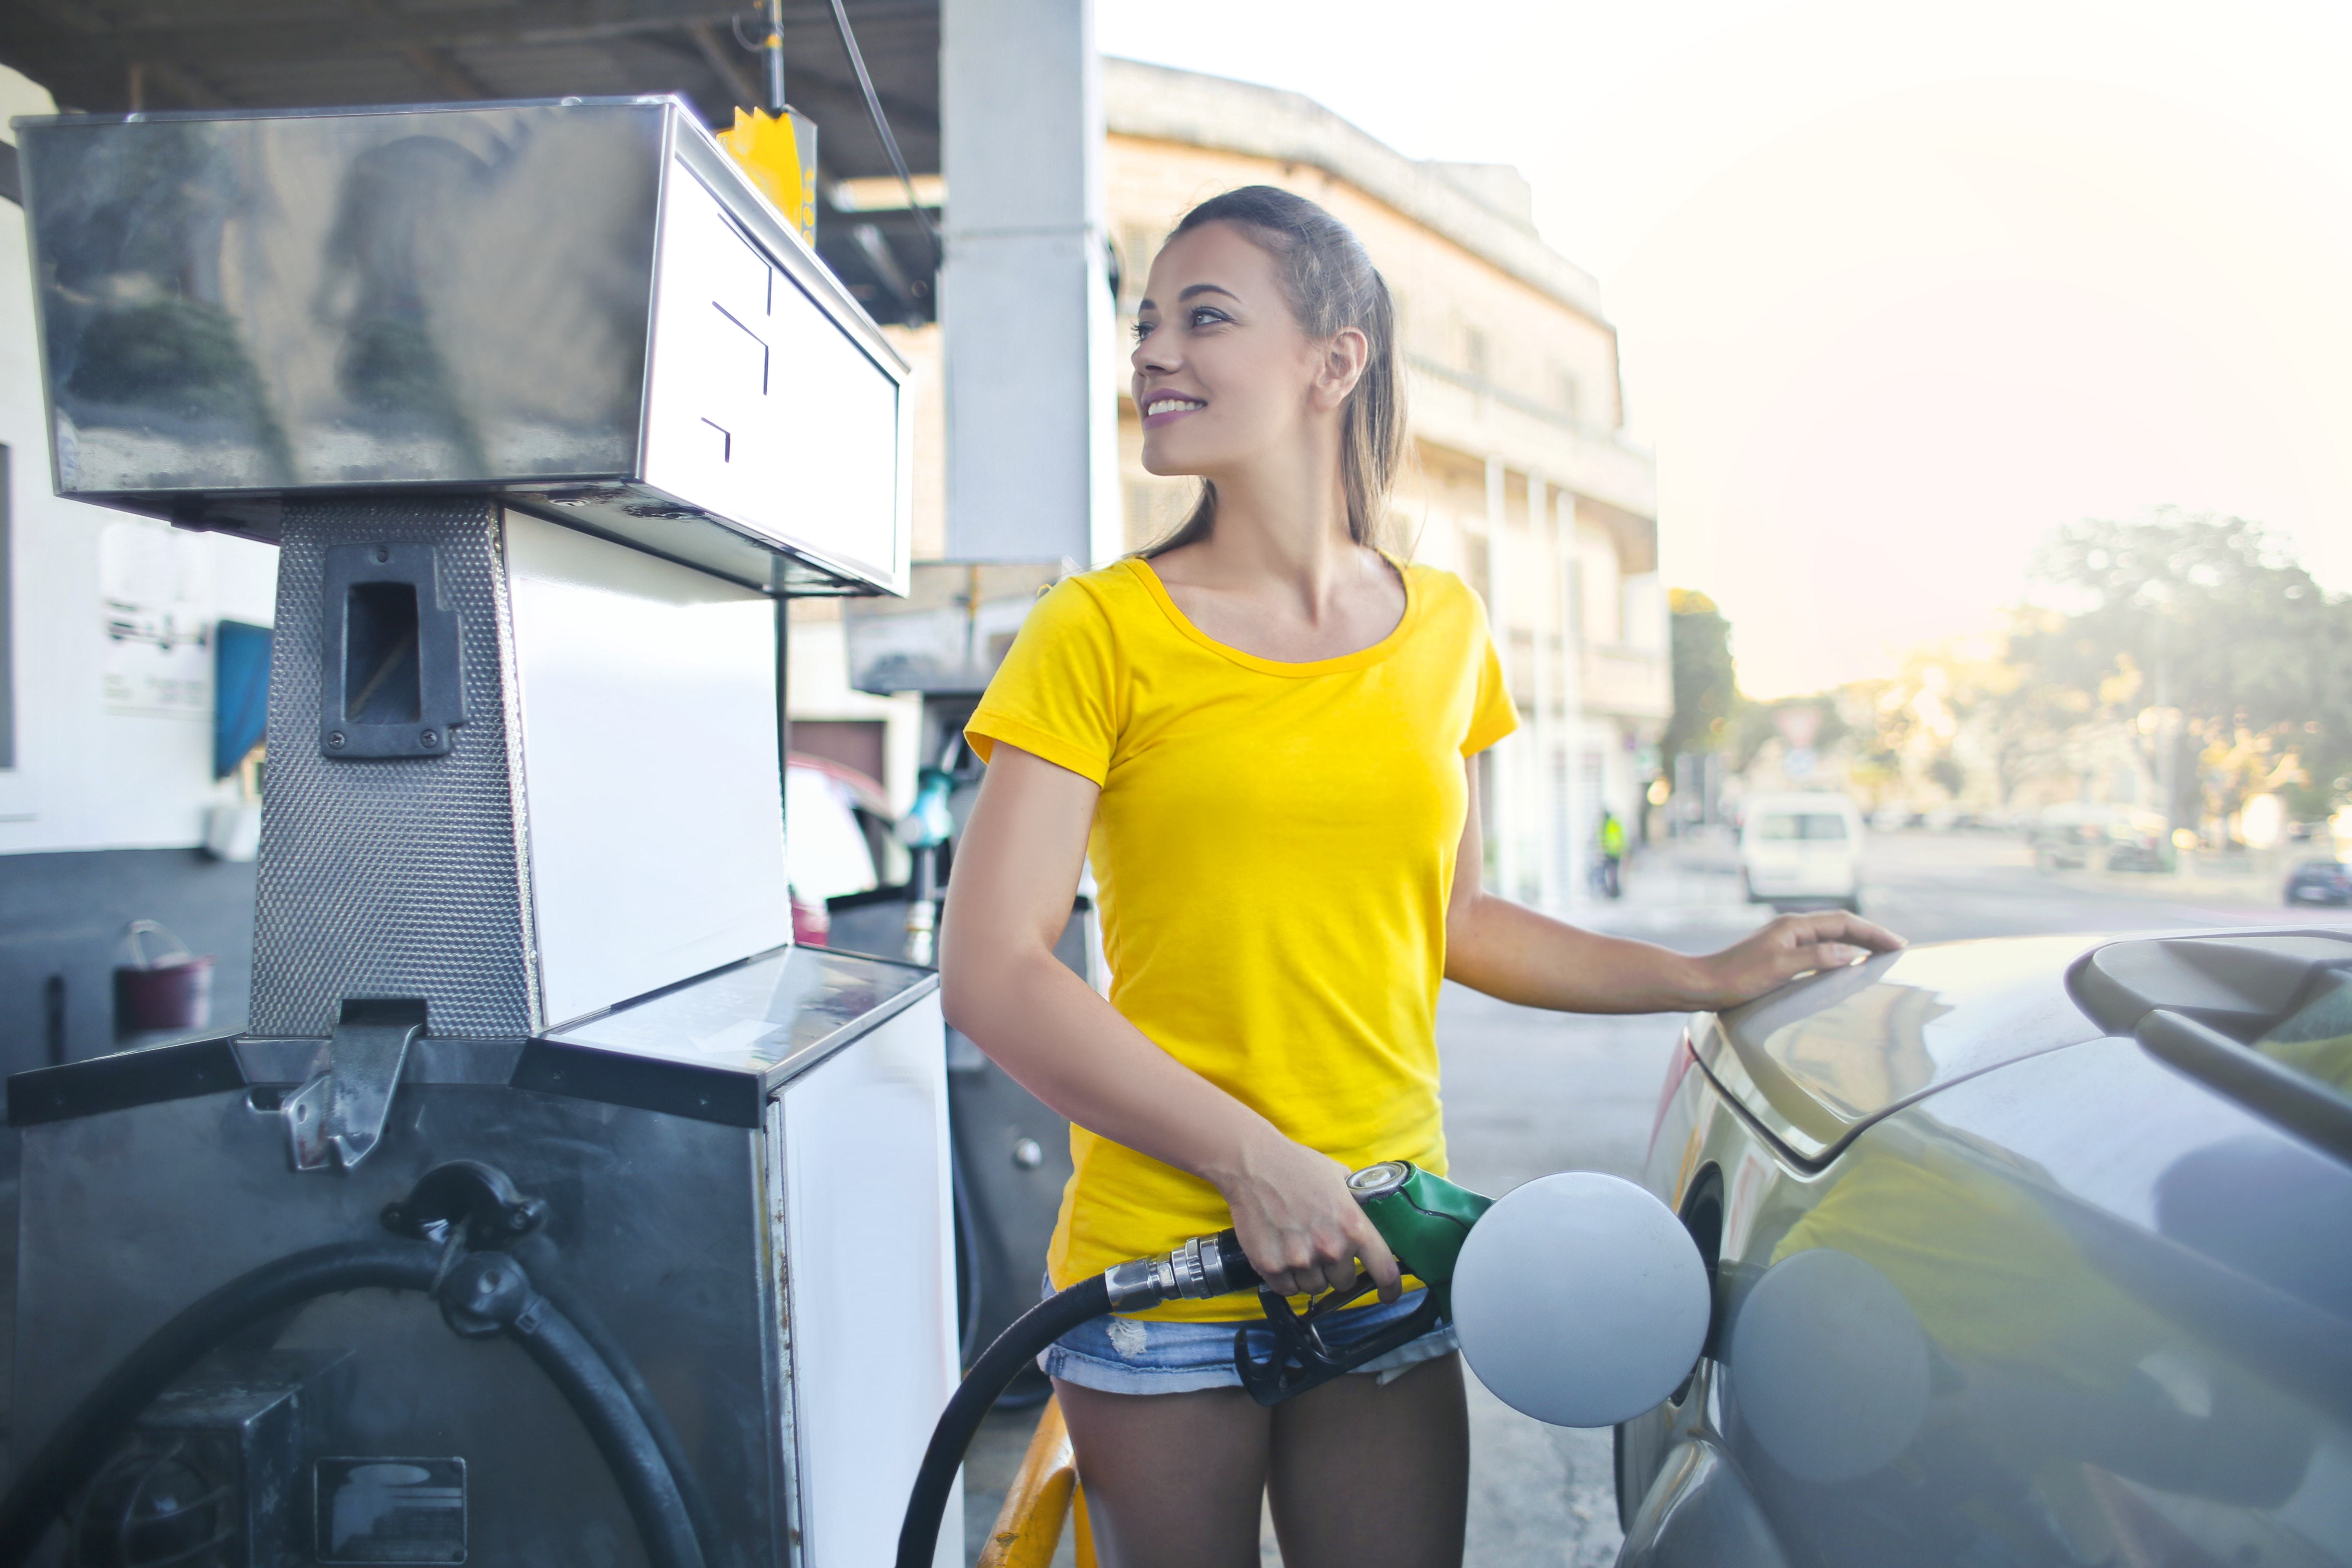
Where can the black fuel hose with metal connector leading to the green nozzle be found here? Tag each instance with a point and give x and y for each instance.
(1201, 1268)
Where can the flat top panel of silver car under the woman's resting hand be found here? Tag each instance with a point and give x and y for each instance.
(1822, 1059)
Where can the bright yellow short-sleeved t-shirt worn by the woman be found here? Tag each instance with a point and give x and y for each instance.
(1274, 850)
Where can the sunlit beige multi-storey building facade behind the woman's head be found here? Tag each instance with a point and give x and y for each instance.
(1521, 476)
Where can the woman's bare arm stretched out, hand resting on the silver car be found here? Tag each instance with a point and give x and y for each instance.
(1514, 953)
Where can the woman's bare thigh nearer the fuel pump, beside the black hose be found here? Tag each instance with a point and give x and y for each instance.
(1172, 1480)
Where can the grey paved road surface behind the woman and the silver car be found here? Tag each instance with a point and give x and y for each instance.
(1537, 1092)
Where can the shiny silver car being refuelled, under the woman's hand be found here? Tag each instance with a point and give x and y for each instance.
(2026, 1252)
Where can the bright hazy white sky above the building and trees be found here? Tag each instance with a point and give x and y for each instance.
(1899, 288)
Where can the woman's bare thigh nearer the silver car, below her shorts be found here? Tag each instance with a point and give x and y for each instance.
(1375, 1475)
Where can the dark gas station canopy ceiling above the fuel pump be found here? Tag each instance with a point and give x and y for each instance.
(156, 55)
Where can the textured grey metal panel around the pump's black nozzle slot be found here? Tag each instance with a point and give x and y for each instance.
(394, 878)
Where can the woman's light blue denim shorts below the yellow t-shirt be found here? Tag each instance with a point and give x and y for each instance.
(1125, 1355)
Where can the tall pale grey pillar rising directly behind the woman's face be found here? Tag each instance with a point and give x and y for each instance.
(1027, 290)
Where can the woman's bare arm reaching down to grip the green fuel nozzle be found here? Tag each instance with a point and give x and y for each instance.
(1008, 904)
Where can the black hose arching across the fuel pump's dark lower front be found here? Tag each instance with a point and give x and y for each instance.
(488, 1285)
